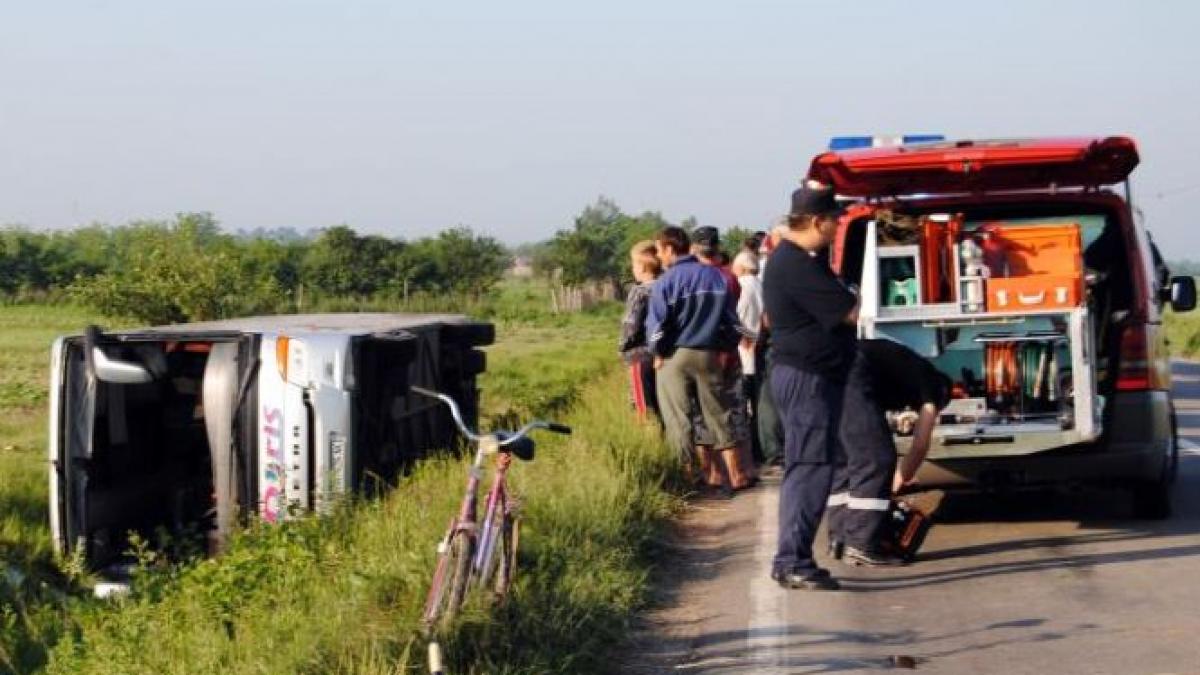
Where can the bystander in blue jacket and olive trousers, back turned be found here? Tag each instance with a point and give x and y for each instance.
(692, 326)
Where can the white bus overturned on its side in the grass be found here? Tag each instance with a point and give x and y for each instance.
(188, 431)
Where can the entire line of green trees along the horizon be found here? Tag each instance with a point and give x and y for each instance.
(189, 270)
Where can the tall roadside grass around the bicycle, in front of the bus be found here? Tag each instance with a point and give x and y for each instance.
(344, 594)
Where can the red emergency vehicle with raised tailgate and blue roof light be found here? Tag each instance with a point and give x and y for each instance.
(1021, 271)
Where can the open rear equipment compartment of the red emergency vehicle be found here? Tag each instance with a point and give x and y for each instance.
(1007, 307)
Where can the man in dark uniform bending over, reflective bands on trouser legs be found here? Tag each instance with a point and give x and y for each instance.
(886, 377)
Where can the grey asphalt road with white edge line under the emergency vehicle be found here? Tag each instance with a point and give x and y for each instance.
(1033, 584)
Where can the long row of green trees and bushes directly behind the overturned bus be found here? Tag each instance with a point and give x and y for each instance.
(187, 270)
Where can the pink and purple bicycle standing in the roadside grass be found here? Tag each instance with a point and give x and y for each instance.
(467, 555)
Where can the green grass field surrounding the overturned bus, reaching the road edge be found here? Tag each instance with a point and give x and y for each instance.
(343, 594)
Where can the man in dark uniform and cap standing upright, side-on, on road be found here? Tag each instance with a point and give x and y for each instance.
(813, 319)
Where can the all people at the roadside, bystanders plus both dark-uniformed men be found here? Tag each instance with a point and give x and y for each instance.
(746, 365)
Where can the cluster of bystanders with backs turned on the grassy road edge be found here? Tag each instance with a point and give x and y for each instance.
(691, 338)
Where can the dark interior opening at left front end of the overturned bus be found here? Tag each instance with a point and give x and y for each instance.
(147, 468)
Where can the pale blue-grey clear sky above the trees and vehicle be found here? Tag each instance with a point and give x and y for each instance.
(404, 118)
